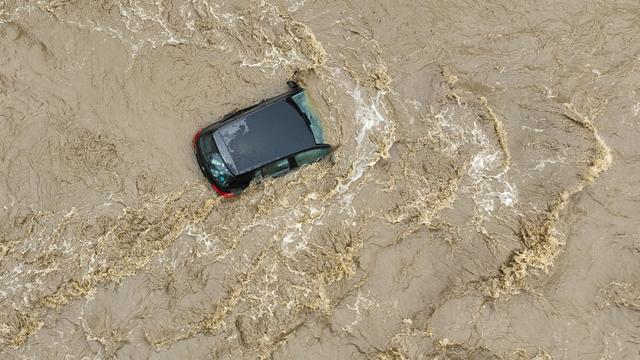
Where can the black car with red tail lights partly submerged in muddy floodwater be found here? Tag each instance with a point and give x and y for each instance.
(268, 139)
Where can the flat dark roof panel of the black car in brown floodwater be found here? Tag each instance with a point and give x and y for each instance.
(267, 133)
